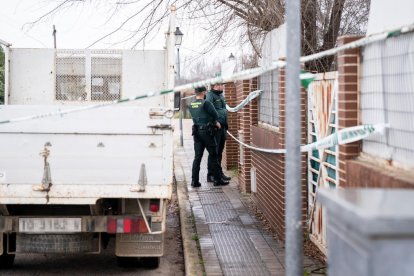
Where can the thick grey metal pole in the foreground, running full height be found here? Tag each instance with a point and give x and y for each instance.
(293, 213)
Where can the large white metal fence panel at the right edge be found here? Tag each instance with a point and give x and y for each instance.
(387, 96)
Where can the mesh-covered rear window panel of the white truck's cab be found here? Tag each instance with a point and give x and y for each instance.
(88, 75)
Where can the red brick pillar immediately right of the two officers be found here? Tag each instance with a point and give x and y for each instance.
(231, 151)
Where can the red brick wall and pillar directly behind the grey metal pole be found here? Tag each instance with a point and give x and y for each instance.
(270, 168)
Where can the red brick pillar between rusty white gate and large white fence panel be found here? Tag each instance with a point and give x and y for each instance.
(348, 66)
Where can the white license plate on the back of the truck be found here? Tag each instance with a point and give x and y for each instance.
(50, 225)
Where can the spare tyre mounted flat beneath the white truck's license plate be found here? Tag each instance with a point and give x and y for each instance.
(54, 243)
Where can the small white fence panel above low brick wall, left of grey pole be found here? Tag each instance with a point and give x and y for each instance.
(269, 98)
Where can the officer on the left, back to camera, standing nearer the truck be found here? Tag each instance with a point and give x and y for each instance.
(205, 120)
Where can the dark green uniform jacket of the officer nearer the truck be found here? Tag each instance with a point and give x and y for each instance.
(203, 112)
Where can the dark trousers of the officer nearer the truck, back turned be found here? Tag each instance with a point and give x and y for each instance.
(202, 140)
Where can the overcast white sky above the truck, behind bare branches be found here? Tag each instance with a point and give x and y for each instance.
(80, 27)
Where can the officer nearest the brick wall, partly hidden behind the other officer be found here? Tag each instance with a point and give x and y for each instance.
(215, 96)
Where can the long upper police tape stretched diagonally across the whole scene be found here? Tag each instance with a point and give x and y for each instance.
(245, 74)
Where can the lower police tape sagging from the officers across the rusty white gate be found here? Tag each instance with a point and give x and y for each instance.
(343, 136)
